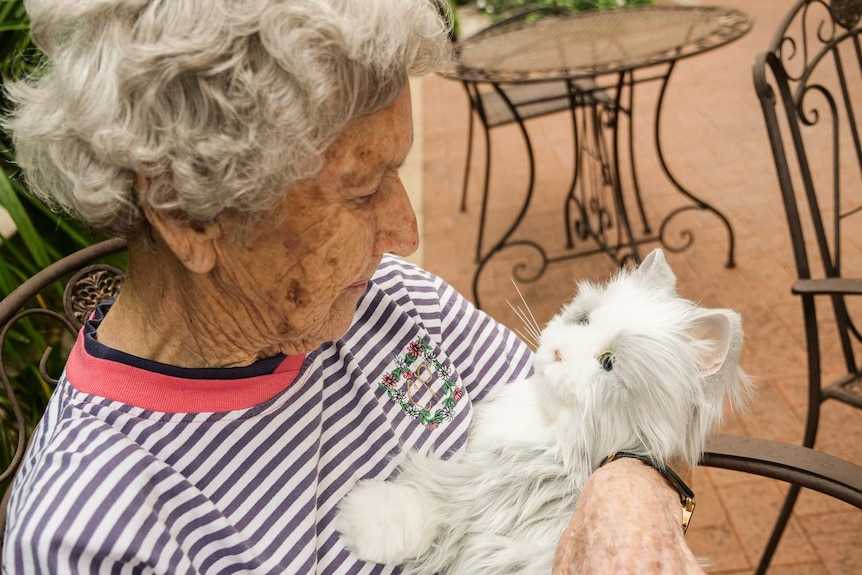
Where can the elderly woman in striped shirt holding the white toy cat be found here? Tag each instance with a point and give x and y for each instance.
(211, 418)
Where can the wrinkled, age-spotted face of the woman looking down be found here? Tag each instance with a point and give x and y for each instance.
(307, 264)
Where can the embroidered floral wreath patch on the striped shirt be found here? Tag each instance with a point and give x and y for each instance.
(412, 373)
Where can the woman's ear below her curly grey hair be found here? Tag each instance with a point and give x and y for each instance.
(194, 247)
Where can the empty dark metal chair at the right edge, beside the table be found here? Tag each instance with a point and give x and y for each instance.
(809, 86)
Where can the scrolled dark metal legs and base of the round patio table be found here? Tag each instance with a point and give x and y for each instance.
(596, 117)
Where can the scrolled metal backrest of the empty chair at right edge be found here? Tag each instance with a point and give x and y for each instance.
(810, 87)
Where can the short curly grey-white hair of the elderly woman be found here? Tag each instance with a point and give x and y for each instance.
(220, 104)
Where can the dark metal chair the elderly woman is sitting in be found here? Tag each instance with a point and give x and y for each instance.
(92, 282)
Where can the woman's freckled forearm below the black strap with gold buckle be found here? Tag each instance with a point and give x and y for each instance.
(628, 520)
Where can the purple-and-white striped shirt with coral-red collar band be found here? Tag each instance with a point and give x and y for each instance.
(139, 467)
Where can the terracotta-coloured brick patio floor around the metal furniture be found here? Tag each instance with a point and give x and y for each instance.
(716, 145)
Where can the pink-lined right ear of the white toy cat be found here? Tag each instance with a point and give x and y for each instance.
(721, 332)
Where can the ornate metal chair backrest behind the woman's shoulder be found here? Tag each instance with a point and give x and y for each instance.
(26, 322)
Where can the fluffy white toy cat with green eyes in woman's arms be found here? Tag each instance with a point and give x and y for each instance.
(628, 366)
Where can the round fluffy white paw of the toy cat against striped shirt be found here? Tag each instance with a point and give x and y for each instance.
(385, 522)
